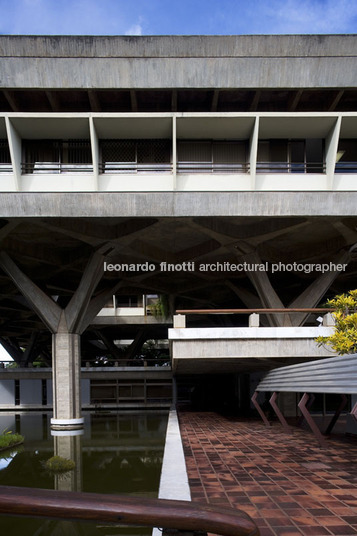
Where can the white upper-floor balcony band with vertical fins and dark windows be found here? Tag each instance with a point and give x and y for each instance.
(178, 152)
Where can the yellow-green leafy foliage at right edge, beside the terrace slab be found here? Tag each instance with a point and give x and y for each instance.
(344, 339)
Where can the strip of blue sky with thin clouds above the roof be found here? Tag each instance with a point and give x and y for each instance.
(157, 17)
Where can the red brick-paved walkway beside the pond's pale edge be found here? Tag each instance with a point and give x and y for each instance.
(285, 482)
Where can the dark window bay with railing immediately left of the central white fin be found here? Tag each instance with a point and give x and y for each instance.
(131, 156)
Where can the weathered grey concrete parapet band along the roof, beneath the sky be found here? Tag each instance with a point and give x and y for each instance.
(178, 62)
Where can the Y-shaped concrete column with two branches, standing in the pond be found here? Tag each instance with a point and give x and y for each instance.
(66, 326)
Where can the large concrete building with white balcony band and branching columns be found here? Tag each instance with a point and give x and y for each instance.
(218, 172)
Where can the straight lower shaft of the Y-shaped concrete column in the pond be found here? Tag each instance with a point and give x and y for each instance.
(66, 365)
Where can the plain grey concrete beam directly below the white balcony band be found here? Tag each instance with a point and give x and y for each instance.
(177, 204)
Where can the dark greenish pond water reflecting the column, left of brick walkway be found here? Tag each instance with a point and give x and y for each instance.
(116, 453)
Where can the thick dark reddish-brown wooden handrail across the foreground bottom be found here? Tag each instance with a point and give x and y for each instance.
(99, 507)
